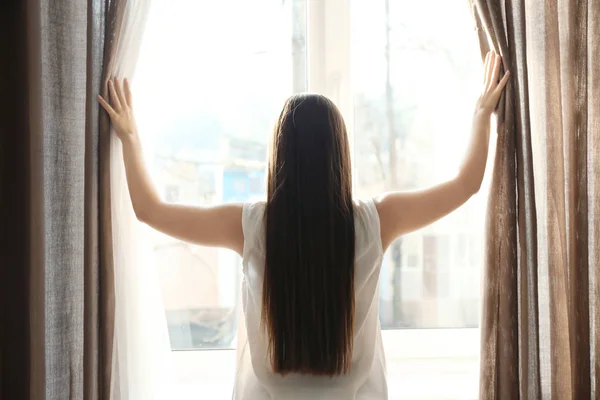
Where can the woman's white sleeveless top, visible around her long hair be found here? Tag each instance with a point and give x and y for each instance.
(255, 379)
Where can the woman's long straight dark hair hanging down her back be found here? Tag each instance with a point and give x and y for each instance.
(308, 289)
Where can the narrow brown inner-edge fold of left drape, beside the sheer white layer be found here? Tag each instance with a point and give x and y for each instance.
(98, 308)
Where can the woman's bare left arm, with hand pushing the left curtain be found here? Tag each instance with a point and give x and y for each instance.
(219, 226)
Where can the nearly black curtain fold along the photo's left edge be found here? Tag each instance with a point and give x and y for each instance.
(14, 189)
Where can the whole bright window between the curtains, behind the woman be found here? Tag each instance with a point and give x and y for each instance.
(405, 80)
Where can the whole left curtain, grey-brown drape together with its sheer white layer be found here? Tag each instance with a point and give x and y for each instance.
(81, 315)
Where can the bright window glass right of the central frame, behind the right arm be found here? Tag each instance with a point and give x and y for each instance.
(416, 78)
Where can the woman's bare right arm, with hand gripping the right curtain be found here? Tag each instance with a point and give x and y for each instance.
(403, 212)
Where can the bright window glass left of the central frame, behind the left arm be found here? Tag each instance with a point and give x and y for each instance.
(211, 79)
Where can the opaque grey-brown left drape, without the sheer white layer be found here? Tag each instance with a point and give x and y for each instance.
(56, 288)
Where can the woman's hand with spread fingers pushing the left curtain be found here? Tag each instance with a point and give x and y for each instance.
(120, 108)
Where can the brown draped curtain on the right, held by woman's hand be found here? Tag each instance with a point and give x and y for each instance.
(540, 329)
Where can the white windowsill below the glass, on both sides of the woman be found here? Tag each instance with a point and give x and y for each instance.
(422, 364)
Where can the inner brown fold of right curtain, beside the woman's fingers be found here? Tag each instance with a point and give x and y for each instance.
(499, 324)
